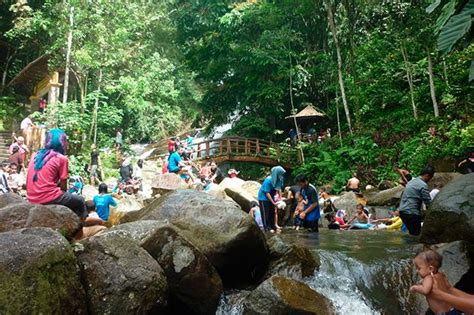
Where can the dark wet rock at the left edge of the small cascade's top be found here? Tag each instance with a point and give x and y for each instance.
(290, 260)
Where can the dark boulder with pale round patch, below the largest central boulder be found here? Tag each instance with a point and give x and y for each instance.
(194, 284)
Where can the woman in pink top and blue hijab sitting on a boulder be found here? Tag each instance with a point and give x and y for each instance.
(48, 173)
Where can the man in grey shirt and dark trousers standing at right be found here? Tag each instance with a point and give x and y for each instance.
(416, 193)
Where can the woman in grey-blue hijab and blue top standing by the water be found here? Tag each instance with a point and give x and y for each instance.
(266, 194)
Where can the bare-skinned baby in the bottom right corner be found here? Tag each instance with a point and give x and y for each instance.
(427, 265)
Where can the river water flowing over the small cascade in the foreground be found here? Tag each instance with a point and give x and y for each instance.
(362, 272)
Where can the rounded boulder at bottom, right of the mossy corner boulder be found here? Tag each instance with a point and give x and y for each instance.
(119, 276)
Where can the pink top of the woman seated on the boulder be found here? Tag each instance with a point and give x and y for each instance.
(46, 188)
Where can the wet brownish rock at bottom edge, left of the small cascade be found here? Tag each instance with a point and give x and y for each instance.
(279, 295)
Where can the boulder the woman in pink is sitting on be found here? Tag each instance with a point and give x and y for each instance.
(19, 215)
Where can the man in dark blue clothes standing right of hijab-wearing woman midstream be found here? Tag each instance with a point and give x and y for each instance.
(311, 213)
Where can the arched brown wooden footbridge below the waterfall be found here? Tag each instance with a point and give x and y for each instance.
(252, 150)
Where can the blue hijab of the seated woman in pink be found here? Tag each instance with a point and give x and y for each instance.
(56, 143)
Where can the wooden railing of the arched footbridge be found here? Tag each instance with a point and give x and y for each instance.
(251, 147)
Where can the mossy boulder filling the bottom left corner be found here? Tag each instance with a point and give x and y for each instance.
(38, 274)
